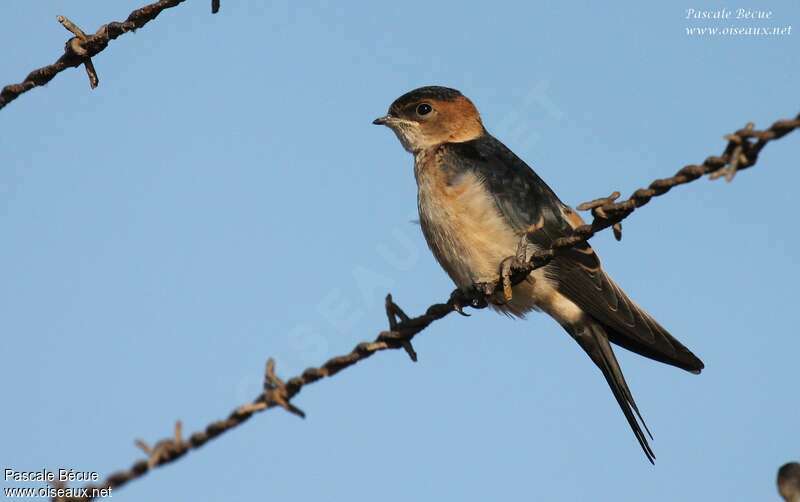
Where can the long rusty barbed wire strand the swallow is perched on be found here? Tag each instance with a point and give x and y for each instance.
(741, 152)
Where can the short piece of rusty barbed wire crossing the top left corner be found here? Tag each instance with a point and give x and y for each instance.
(80, 49)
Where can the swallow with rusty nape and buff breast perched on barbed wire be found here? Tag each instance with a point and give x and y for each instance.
(480, 204)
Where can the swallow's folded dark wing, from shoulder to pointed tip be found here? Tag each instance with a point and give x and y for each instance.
(525, 199)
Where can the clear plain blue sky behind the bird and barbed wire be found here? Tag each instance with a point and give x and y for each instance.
(223, 197)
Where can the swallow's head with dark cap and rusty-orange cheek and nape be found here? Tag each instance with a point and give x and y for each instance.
(430, 116)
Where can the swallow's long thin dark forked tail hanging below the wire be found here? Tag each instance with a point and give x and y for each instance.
(592, 337)
